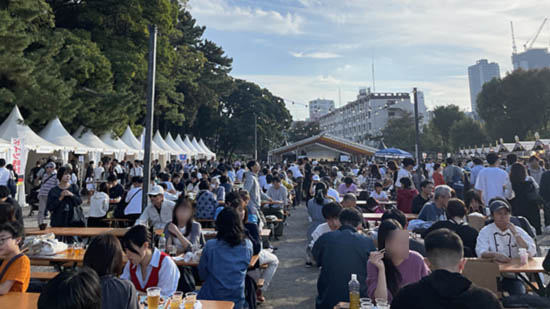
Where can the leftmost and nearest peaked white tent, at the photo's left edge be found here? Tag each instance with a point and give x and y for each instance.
(13, 127)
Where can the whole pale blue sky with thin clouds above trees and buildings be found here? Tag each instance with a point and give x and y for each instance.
(306, 49)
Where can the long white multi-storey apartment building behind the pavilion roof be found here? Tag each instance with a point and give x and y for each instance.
(368, 115)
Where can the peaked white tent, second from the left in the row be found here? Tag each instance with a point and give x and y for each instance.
(54, 132)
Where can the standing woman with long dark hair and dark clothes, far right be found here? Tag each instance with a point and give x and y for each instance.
(526, 199)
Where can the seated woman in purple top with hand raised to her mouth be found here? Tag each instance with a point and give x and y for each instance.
(389, 271)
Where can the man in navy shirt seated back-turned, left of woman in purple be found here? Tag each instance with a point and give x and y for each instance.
(341, 253)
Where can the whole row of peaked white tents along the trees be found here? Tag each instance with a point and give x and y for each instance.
(55, 139)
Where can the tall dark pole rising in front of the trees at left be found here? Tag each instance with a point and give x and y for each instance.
(150, 113)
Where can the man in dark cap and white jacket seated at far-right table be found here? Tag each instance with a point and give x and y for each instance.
(501, 240)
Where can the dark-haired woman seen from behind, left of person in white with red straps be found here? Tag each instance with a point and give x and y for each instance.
(104, 256)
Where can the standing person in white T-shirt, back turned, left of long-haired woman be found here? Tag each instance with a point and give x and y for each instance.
(493, 182)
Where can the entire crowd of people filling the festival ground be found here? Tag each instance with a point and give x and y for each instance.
(480, 207)
